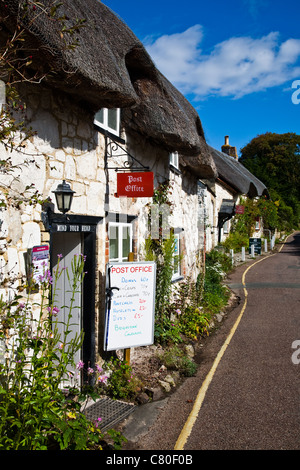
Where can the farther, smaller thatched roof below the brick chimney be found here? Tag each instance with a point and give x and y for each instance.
(234, 174)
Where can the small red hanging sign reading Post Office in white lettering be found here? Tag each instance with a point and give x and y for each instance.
(137, 184)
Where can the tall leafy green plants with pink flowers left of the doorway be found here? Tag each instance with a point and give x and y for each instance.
(36, 413)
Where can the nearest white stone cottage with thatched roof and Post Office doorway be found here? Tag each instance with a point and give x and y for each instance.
(101, 109)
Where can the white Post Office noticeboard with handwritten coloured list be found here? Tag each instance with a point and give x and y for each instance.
(130, 305)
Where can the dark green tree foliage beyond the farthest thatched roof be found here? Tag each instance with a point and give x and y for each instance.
(275, 160)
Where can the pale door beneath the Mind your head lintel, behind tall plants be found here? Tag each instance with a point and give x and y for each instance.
(67, 245)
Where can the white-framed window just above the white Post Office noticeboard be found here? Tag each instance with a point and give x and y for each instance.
(120, 241)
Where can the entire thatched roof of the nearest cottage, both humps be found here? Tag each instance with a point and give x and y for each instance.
(109, 68)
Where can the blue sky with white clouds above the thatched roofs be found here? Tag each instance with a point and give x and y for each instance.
(234, 60)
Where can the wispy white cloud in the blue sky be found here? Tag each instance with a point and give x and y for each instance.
(235, 67)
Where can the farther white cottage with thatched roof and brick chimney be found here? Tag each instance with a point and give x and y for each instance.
(223, 193)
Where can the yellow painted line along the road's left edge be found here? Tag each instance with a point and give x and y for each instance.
(187, 429)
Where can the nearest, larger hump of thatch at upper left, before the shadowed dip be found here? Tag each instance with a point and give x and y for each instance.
(95, 71)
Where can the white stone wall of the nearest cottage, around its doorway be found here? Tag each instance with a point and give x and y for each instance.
(68, 146)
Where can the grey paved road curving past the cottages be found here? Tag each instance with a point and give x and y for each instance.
(253, 398)
